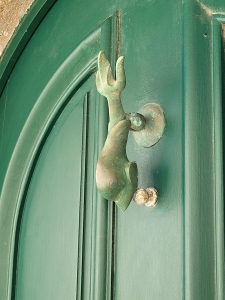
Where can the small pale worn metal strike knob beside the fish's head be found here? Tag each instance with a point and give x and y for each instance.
(148, 196)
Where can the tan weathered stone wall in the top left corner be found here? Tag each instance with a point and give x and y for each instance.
(11, 11)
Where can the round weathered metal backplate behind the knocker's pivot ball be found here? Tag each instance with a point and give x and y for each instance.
(154, 126)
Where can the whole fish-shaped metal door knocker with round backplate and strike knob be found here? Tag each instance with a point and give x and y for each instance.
(116, 176)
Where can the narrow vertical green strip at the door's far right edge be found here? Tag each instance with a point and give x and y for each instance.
(219, 153)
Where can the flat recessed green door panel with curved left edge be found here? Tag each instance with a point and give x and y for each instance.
(49, 235)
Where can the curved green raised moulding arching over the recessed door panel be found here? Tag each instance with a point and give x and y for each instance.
(74, 71)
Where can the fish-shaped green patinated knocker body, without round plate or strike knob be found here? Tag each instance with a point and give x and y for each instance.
(116, 176)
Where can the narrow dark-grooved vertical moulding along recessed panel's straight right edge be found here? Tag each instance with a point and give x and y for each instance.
(86, 251)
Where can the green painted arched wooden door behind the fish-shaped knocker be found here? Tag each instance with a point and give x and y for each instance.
(59, 239)
